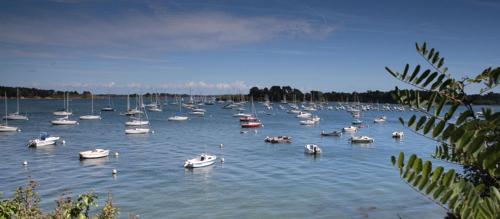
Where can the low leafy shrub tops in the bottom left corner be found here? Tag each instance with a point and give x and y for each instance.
(25, 204)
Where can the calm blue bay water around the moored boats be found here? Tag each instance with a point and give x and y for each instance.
(257, 180)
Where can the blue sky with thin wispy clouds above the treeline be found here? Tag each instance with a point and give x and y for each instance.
(217, 47)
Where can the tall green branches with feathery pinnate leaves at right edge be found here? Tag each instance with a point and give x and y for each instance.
(468, 139)
